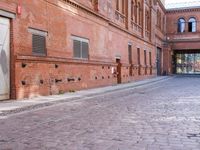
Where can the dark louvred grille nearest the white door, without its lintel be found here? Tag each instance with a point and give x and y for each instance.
(38, 44)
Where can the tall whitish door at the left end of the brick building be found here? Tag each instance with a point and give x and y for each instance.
(4, 58)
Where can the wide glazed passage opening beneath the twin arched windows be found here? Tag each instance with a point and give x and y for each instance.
(187, 62)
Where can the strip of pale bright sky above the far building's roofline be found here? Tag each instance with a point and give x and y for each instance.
(182, 3)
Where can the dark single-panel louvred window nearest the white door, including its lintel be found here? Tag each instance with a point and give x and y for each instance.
(38, 41)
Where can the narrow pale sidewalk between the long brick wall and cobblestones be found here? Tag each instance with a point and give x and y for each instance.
(13, 106)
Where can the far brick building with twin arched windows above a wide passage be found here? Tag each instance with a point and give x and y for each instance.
(182, 52)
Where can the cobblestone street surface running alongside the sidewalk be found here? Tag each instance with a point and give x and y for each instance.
(160, 116)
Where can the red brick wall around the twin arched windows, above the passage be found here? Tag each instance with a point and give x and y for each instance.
(181, 41)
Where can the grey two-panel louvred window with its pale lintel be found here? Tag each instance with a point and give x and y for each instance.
(80, 47)
